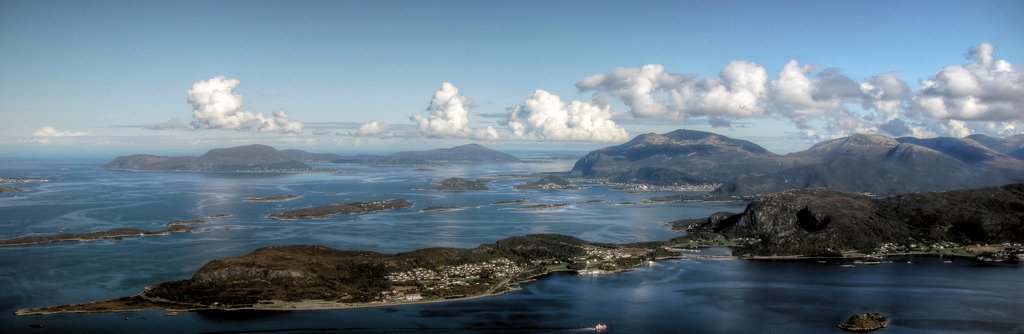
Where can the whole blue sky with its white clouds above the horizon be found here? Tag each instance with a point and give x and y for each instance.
(346, 76)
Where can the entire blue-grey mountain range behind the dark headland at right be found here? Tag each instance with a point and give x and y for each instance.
(862, 163)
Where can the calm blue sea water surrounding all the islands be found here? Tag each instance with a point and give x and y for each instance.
(674, 297)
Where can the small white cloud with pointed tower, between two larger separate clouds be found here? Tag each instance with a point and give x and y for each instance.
(450, 117)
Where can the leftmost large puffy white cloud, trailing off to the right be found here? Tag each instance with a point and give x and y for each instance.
(217, 106)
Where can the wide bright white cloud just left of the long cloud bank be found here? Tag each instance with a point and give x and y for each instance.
(546, 117)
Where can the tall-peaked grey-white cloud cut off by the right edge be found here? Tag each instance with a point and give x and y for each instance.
(990, 90)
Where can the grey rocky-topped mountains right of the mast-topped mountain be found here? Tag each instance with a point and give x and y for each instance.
(877, 164)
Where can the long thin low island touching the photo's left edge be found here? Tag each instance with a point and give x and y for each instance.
(116, 234)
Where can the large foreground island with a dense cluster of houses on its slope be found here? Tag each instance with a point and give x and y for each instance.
(309, 277)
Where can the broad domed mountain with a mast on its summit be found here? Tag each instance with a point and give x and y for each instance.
(679, 157)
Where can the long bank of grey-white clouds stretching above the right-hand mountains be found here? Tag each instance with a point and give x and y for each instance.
(987, 97)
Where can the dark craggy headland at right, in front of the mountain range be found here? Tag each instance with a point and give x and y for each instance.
(822, 222)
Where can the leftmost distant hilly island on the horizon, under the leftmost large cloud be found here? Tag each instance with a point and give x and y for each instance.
(239, 159)
